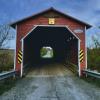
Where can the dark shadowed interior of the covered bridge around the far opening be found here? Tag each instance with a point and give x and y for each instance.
(60, 39)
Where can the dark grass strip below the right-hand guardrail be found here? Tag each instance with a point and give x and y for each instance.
(92, 80)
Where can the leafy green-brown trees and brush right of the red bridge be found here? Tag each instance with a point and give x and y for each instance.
(94, 54)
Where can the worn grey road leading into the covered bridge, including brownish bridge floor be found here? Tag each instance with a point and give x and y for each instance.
(48, 83)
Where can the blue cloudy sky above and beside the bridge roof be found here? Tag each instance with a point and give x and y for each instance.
(85, 10)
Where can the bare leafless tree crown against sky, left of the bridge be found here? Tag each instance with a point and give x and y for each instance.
(5, 35)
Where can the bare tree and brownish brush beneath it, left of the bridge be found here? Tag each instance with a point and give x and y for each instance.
(6, 56)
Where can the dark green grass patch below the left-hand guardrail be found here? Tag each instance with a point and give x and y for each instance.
(7, 84)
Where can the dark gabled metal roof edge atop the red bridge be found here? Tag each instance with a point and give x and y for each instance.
(51, 9)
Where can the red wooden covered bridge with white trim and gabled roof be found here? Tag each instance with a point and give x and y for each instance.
(65, 34)
